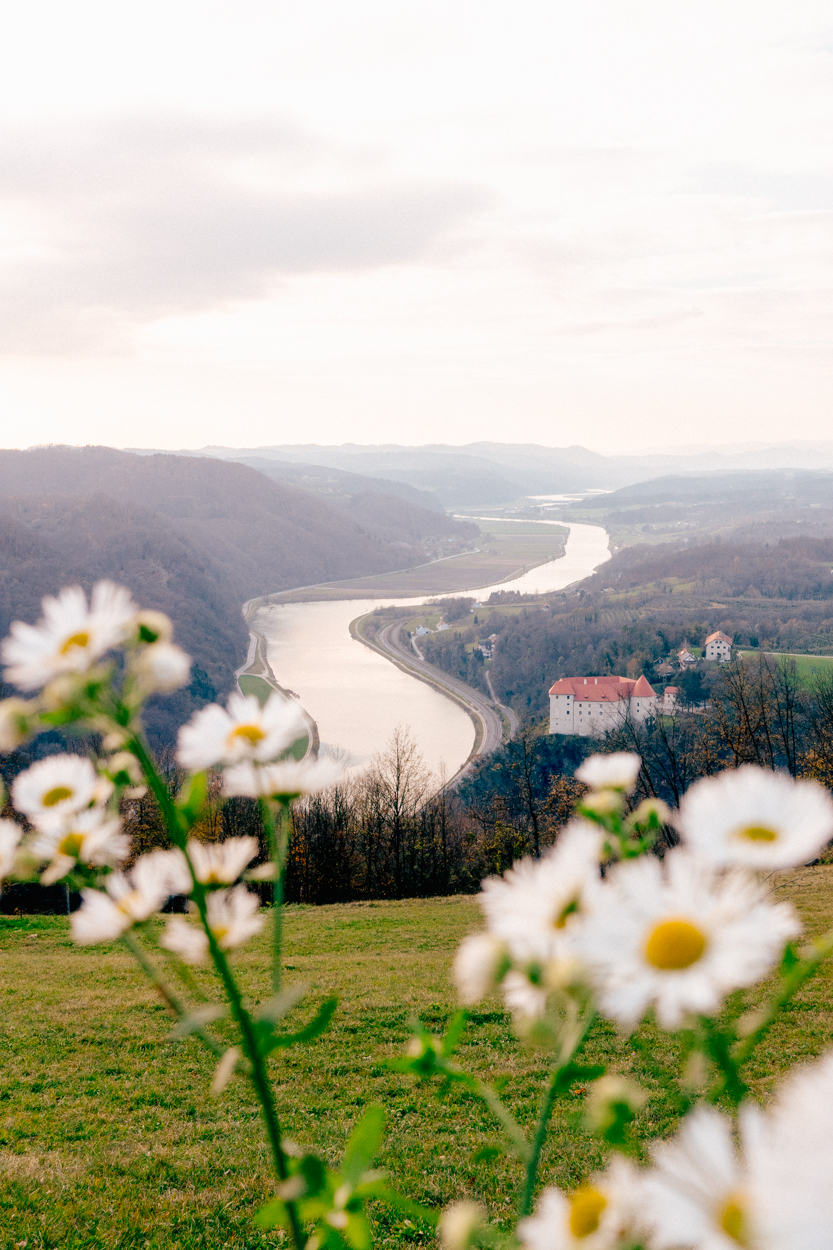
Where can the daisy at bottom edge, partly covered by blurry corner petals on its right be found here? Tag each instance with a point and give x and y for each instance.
(699, 1192)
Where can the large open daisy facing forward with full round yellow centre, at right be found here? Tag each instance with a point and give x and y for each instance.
(680, 937)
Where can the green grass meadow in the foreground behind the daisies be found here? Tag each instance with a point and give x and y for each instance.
(111, 1138)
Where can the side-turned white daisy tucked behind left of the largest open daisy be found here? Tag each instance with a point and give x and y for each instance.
(535, 906)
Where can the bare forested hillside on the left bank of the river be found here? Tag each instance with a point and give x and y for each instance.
(194, 538)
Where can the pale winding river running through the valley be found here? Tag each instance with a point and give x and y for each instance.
(358, 698)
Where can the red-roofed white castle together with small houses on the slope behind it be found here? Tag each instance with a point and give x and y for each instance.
(595, 706)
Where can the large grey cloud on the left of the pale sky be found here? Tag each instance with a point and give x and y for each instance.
(121, 224)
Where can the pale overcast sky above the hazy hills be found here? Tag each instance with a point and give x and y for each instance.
(253, 223)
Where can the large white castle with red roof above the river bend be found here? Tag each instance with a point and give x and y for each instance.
(595, 706)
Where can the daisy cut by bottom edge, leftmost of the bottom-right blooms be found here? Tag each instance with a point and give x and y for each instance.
(602, 1216)
